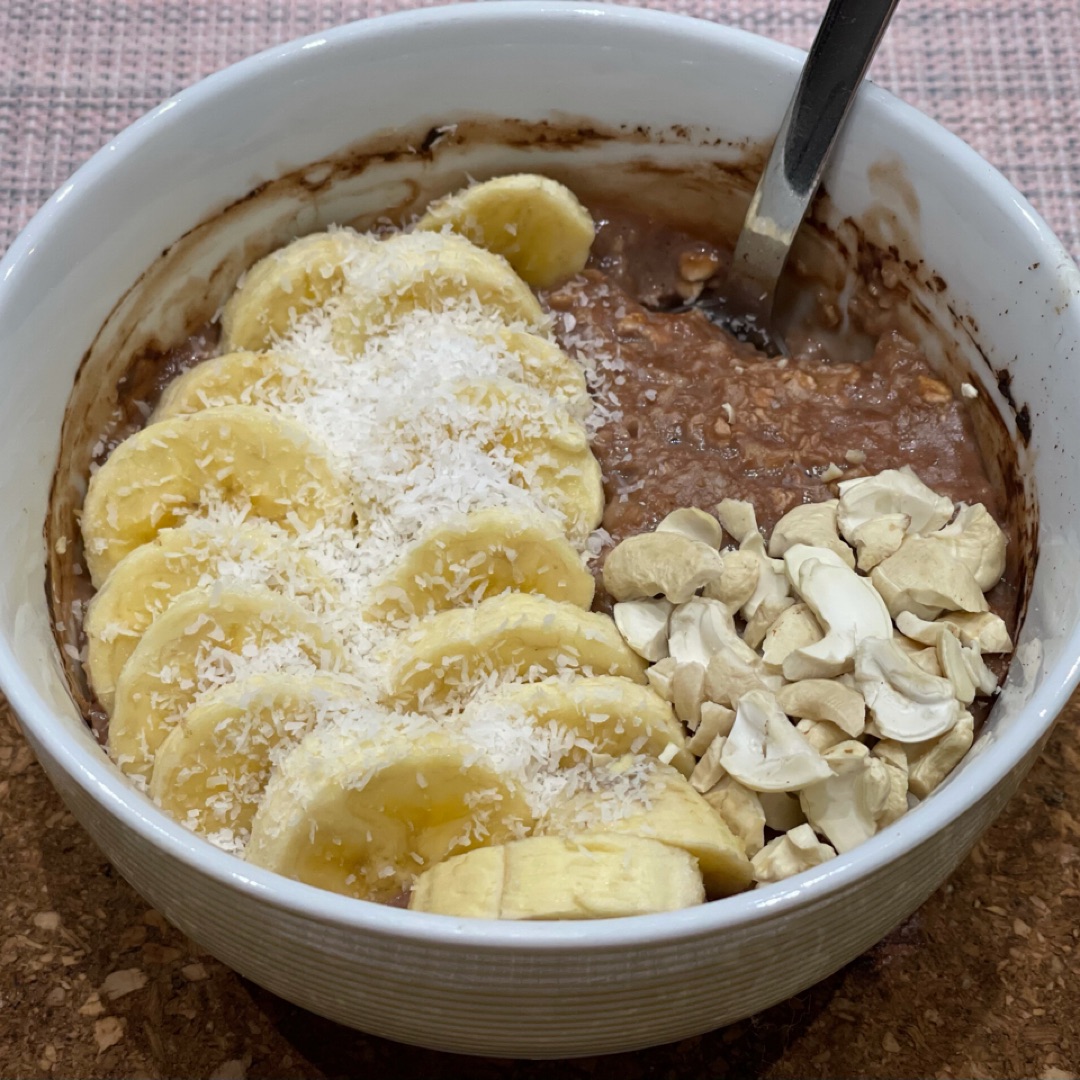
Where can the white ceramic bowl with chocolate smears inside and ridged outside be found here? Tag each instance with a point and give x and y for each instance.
(507, 989)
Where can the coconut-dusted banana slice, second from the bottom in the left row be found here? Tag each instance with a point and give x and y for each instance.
(211, 771)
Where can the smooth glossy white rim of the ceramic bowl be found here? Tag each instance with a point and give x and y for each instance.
(94, 773)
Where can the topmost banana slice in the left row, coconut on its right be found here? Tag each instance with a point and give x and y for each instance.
(286, 285)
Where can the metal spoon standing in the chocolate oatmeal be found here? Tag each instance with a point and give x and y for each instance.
(841, 55)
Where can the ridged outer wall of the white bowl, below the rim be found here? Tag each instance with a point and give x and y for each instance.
(506, 1002)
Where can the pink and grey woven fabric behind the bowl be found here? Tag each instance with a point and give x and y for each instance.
(1004, 76)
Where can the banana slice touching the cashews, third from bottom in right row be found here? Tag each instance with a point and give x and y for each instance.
(615, 715)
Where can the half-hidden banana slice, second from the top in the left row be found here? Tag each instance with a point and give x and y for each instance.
(237, 379)
